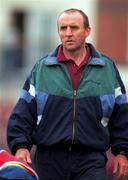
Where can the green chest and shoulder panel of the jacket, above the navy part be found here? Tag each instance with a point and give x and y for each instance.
(98, 79)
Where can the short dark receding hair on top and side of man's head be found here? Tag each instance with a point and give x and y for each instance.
(85, 17)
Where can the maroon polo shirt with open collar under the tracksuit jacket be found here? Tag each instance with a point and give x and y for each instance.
(74, 70)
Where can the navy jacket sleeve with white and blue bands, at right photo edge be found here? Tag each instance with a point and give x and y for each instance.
(118, 123)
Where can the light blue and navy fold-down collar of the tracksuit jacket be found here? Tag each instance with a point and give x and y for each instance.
(96, 58)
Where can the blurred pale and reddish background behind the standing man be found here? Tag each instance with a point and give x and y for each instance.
(28, 31)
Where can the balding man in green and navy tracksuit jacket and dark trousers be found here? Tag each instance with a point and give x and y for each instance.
(72, 107)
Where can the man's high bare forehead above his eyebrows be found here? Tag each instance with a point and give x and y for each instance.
(70, 18)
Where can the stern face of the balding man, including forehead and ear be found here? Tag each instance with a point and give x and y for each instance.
(72, 31)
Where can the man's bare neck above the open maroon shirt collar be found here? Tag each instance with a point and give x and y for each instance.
(76, 56)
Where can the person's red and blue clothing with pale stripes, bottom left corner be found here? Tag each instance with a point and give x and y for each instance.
(13, 168)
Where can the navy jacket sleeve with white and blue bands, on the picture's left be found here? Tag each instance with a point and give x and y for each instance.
(23, 118)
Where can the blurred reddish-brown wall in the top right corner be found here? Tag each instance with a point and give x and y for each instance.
(112, 29)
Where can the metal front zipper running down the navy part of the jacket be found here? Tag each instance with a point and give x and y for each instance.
(74, 119)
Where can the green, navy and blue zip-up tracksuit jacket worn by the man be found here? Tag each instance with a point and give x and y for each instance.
(49, 111)
